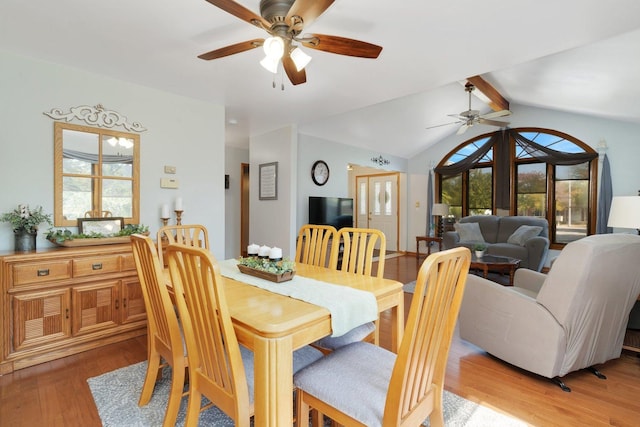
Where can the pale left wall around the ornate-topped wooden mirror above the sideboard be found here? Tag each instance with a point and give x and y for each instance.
(182, 132)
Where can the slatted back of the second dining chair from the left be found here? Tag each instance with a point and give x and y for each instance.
(216, 367)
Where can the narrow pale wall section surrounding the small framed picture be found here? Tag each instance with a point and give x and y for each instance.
(273, 222)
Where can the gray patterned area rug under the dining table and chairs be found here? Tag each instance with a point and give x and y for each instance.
(116, 395)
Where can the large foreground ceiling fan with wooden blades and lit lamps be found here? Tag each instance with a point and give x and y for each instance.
(285, 20)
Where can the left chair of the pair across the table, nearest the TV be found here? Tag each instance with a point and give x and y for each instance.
(313, 244)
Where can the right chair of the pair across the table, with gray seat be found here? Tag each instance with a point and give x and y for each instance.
(357, 256)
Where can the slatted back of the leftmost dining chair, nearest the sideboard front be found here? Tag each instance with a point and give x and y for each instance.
(162, 323)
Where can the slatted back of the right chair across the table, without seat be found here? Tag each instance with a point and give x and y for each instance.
(358, 253)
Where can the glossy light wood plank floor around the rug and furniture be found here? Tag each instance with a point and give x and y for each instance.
(57, 394)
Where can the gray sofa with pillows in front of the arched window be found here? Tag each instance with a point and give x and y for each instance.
(504, 237)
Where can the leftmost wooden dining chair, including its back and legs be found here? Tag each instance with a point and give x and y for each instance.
(163, 329)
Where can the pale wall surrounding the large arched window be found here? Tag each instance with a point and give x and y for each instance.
(621, 138)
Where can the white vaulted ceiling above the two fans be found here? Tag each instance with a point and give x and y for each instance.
(571, 55)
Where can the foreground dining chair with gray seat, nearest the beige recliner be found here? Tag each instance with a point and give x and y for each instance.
(362, 384)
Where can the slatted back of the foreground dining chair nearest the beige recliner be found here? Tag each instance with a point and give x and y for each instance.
(418, 375)
